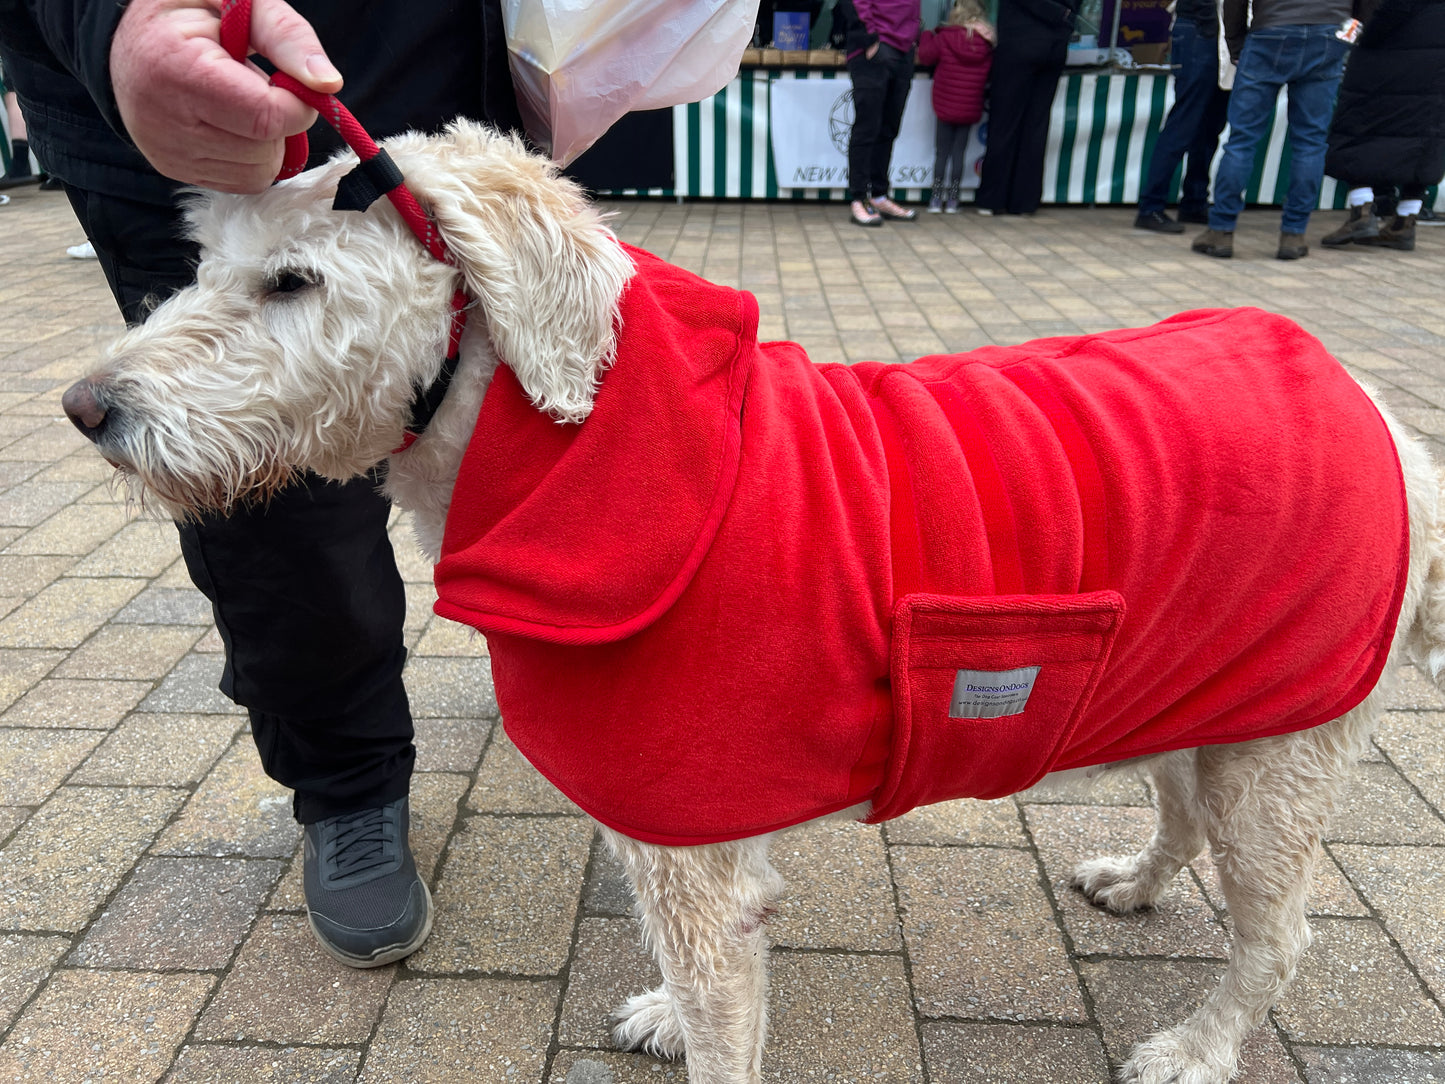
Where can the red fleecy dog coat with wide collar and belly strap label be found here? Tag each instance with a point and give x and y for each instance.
(749, 590)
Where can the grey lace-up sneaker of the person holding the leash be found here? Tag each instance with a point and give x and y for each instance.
(366, 903)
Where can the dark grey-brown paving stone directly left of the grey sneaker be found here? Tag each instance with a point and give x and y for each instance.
(178, 914)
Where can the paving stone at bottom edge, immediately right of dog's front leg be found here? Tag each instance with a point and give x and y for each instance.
(836, 1017)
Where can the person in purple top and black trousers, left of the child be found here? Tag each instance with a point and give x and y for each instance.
(879, 41)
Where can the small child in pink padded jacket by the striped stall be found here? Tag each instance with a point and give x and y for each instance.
(962, 53)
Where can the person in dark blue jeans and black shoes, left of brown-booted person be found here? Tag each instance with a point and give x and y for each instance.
(1191, 132)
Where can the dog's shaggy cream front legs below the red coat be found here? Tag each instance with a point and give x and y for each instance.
(703, 913)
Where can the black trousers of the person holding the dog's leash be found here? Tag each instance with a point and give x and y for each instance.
(306, 589)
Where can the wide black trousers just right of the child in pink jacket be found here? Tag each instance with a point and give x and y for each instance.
(1024, 80)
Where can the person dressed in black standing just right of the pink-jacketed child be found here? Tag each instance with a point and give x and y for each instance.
(1034, 44)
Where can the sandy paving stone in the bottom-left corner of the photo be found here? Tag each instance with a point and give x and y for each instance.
(89, 1025)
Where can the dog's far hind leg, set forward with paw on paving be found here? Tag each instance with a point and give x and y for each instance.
(1131, 884)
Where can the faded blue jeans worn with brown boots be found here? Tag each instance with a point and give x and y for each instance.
(1310, 61)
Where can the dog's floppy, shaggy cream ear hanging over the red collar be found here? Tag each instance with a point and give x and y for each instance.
(545, 271)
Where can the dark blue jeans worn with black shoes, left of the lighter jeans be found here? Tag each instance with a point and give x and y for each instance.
(1193, 126)
